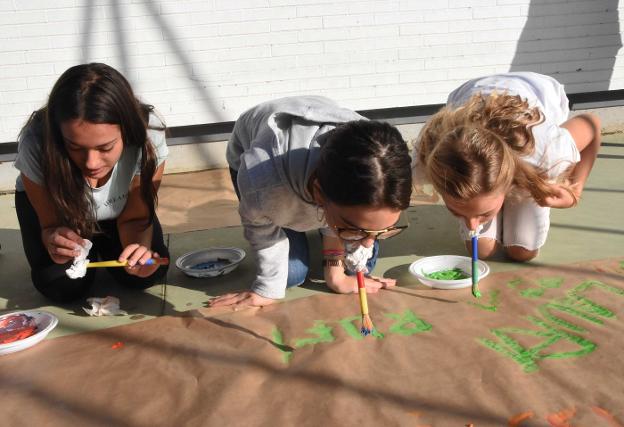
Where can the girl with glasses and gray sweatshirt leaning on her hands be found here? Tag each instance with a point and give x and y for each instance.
(304, 163)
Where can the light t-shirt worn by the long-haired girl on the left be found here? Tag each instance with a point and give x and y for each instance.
(109, 199)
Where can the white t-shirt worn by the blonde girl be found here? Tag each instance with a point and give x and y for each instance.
(555, 149)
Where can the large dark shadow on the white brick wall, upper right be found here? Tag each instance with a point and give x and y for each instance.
(576, 43)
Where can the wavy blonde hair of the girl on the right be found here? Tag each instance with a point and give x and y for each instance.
(476, 148)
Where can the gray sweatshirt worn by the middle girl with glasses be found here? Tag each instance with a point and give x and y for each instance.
(275, 147)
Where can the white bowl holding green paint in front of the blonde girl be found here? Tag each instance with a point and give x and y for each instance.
(432, 264)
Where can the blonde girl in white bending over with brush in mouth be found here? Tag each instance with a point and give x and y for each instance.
(502, 153)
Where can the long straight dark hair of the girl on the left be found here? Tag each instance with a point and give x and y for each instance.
(95, 93)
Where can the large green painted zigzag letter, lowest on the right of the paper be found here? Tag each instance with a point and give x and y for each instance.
(528, 358)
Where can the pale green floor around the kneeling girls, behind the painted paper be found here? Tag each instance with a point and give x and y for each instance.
(198, 210)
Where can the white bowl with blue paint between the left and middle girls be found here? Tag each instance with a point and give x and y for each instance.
(211, 262)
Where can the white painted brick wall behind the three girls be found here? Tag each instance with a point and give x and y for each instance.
(208, 60)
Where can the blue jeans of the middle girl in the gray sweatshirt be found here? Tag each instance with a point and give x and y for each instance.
(299, 251)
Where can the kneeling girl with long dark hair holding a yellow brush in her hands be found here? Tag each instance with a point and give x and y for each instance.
(91, 161)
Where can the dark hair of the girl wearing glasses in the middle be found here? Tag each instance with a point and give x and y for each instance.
(365, 163)
